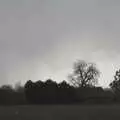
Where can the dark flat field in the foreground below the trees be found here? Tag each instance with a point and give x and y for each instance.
(60, 112)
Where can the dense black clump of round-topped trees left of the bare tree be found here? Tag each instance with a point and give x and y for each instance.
(49, 92)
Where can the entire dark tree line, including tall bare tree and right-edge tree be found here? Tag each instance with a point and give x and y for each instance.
(79, 89)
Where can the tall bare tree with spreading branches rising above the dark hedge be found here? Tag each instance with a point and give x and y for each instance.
(84, 74)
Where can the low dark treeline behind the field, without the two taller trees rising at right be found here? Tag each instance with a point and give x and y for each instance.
(50, 92)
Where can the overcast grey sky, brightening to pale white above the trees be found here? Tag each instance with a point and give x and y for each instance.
(41, 39)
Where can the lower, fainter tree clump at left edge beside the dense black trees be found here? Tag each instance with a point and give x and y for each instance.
(11, 96)
